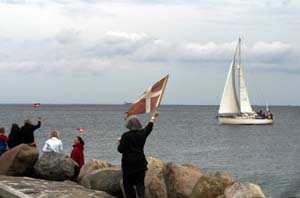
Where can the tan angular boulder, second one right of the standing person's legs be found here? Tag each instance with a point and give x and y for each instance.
(180, 180)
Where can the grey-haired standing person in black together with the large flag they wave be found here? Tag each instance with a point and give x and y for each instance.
(132, 142)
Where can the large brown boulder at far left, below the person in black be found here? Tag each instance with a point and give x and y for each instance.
(19, 161)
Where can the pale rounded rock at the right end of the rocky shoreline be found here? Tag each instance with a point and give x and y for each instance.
(246, 190)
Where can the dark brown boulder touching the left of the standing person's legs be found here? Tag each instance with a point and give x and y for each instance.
(106, 179)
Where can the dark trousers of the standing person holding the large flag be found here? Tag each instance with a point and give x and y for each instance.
(137, 180)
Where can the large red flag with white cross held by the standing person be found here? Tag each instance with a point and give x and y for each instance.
(150, 99)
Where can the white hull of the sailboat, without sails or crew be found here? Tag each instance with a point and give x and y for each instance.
(244, 121)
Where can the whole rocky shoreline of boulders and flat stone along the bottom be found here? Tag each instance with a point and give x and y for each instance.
(56, 175)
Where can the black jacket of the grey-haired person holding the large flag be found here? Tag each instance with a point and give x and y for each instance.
(132, 148)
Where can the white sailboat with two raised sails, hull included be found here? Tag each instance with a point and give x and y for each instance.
(233, 110)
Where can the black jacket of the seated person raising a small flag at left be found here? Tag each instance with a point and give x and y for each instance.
(26, 133)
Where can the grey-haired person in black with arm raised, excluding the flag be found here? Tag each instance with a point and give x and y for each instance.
(134, 163)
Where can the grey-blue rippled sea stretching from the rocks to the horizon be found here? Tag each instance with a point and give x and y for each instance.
(267, 155)
